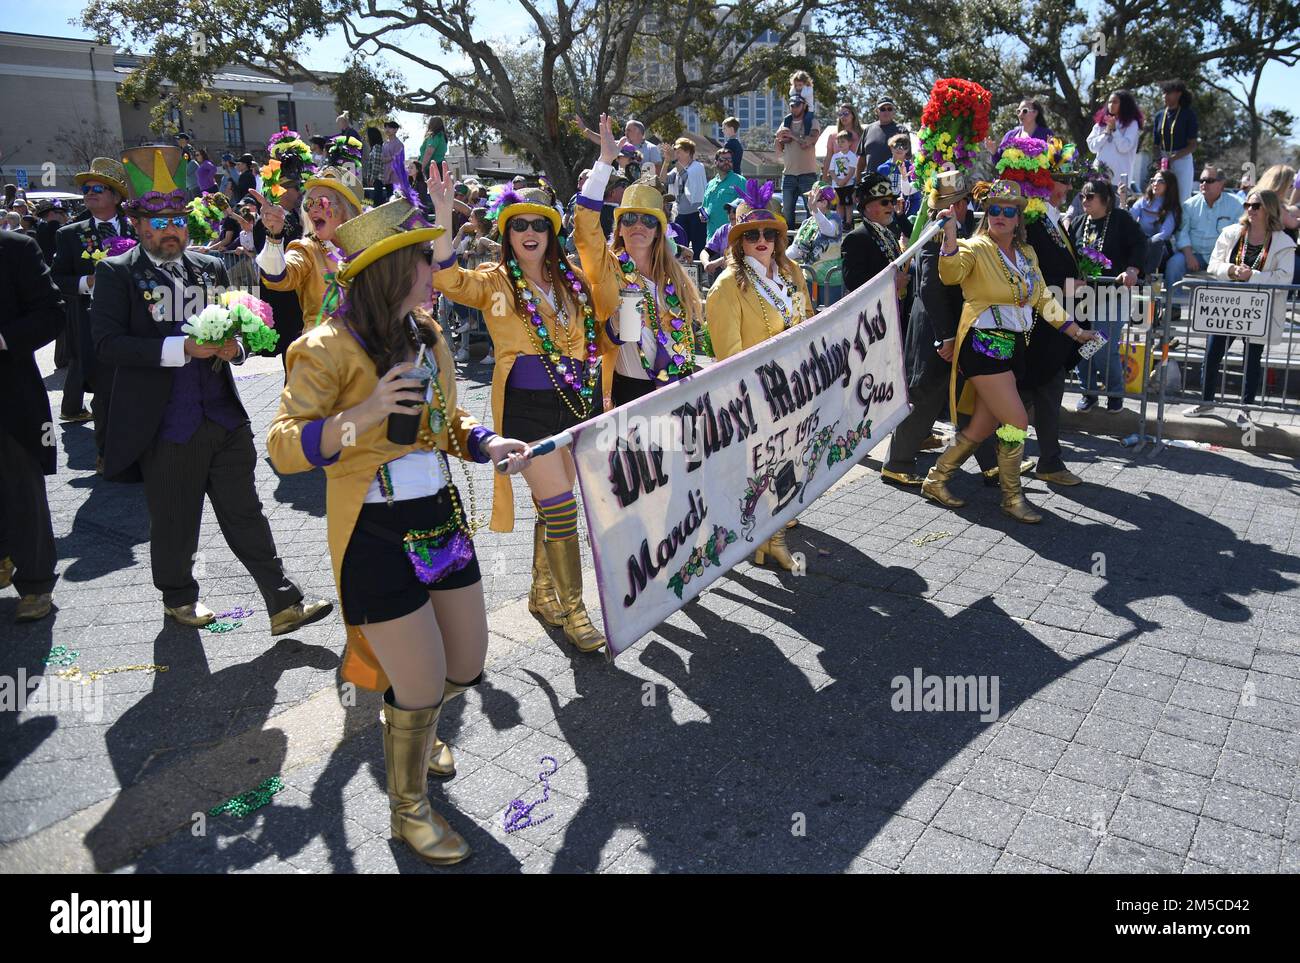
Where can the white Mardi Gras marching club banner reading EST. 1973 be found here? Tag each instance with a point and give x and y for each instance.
(687, 481)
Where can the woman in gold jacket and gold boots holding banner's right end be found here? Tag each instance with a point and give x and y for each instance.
(1003, 287)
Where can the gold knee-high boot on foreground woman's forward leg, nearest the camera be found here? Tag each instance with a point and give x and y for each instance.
(408, 739)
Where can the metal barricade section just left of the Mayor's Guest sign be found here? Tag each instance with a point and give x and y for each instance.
(1138, 307)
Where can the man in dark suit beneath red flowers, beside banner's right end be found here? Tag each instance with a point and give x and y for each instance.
(931, 336)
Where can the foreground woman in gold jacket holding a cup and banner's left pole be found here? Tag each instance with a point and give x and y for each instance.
(398, 532)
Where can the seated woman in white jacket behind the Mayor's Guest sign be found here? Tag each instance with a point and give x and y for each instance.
(1254, 251)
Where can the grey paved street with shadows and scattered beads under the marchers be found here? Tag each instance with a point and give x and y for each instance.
(1145, 643)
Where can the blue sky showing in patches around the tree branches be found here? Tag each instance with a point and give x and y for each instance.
(509, 21)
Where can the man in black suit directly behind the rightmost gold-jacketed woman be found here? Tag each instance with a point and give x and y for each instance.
(1051, 353)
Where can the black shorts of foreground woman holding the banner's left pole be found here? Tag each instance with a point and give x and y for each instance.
(379, 582)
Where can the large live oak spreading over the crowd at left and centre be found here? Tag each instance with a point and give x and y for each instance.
(582, 57)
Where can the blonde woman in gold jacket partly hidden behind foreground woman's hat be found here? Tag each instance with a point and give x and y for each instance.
(309, 266)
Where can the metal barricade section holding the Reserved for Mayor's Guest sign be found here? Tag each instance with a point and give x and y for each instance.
(1189, 350)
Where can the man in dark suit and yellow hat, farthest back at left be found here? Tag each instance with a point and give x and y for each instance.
(105, 189)
